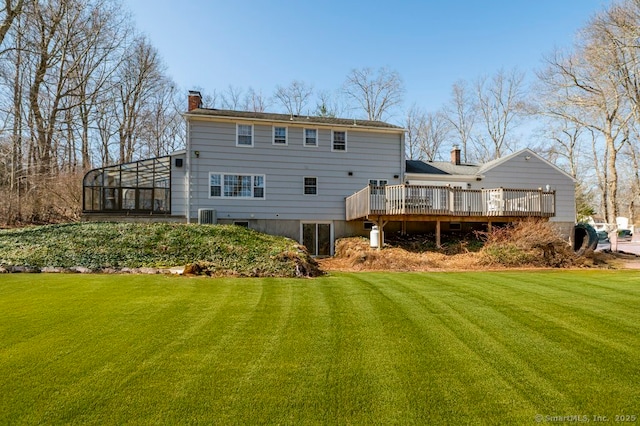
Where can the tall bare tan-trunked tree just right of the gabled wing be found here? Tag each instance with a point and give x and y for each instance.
(587, 87)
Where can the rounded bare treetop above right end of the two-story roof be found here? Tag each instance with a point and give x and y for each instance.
(376, 93)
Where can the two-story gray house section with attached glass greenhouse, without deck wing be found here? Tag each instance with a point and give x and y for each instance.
(276, 173)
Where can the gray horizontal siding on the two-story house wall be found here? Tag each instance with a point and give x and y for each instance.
(370, 155)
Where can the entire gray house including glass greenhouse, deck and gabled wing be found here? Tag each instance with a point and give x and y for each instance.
(316, 179)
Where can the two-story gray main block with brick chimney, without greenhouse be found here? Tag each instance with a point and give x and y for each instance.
(285, 175)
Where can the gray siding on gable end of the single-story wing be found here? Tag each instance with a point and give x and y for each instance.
(520, 173)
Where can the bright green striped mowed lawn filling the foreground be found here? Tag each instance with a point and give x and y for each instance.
(367, 348)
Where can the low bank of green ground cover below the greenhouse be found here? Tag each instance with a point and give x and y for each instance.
(219, 248)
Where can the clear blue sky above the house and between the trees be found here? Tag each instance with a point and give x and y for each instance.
(212, 44)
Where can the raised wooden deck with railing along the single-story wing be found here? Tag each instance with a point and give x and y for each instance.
(420, 202)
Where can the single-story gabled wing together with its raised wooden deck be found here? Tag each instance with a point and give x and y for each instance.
(451, 195)
